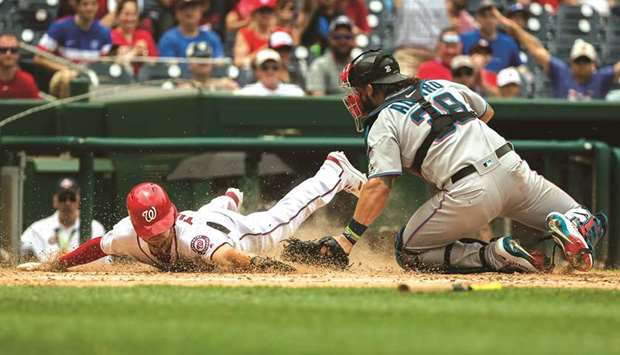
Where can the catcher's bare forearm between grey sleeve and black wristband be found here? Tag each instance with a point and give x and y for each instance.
(373, 199)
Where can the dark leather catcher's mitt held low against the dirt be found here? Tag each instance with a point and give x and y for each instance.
(309, 252)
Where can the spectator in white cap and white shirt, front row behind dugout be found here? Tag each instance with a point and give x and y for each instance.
(268, 63)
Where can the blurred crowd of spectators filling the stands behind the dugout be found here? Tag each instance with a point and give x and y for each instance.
(523, 48)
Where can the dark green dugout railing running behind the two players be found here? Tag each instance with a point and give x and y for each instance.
(85, 148)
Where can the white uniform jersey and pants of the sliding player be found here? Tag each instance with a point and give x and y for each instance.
(200, 233)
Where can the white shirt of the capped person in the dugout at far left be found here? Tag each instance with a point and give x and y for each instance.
(47, 237)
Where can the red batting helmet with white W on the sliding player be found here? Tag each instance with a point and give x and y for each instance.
(150, 210)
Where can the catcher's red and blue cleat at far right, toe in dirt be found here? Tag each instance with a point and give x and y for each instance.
(565, 233)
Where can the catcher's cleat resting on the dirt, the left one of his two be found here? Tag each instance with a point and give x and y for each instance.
(512, 255)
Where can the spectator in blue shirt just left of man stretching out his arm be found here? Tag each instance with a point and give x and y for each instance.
(505, 49)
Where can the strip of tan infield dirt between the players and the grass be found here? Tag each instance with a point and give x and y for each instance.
(130, 275)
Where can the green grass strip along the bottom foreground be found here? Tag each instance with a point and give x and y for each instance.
(213, 320)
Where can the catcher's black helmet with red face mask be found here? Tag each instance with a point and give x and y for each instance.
(370, 67)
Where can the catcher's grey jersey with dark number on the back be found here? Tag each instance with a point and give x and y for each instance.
(401, 127)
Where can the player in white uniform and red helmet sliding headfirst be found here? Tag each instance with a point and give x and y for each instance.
(217, 234)
